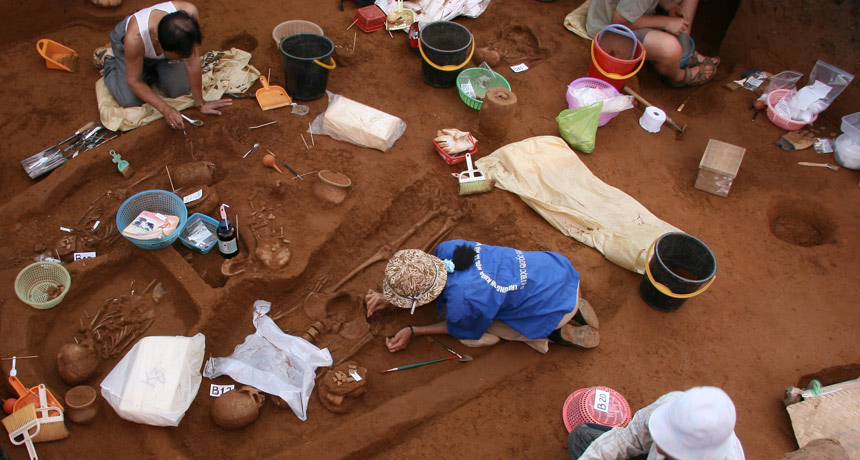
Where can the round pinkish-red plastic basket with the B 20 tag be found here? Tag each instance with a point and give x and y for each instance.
(587, 406)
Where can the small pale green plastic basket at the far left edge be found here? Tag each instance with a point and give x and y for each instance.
(34, 281)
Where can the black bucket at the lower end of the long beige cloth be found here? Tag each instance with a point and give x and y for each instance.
(682, 267)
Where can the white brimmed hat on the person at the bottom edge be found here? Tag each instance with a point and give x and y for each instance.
(697, 425)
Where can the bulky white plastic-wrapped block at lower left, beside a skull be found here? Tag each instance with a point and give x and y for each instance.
(156, 381)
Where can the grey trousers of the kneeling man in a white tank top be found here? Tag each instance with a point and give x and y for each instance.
(169, 76)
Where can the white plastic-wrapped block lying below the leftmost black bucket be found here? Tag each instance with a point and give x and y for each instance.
(356, 123)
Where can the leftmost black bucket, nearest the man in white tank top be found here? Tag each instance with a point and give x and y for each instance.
(307, 60)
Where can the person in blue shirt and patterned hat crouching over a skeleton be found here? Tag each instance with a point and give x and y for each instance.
(488, 293)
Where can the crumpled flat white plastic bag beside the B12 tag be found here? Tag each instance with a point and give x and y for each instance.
(273, 362)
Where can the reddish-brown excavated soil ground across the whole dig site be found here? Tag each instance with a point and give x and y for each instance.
(783, 307)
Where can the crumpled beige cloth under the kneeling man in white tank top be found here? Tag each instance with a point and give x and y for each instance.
(229, 72)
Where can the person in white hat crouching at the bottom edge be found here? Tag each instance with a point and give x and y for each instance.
(697, 424)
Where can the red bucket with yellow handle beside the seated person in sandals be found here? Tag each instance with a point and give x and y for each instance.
(609, 52)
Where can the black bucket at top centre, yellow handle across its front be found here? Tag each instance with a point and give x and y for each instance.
(446, 47)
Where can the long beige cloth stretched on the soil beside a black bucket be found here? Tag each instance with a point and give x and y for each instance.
(550, 178)
